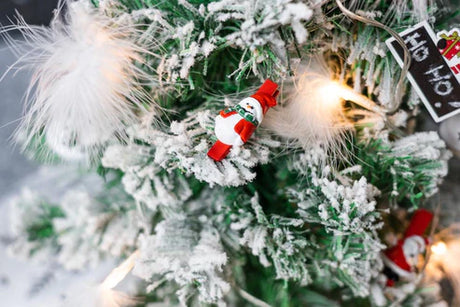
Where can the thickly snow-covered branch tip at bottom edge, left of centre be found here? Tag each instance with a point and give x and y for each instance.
(186, 252)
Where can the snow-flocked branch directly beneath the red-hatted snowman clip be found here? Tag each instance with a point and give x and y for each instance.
(185, 148)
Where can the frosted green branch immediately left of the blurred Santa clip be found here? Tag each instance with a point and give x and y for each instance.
(347, 209)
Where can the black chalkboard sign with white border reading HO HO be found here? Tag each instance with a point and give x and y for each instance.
(429, 72)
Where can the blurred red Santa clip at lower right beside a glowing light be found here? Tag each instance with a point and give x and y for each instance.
(401, 260)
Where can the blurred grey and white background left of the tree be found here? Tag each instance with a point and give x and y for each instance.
(22, 283)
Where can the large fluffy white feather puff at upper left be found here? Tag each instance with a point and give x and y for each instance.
(86, 86)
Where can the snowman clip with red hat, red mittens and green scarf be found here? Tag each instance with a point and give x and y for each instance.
(235, 125)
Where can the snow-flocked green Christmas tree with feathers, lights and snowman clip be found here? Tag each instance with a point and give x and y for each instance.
(309, 175)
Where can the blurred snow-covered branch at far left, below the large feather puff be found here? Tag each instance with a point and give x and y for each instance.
(84, 231)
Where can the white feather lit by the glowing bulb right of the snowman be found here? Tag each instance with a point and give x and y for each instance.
(308, 115)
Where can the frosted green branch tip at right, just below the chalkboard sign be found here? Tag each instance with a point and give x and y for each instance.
(409, 169)
